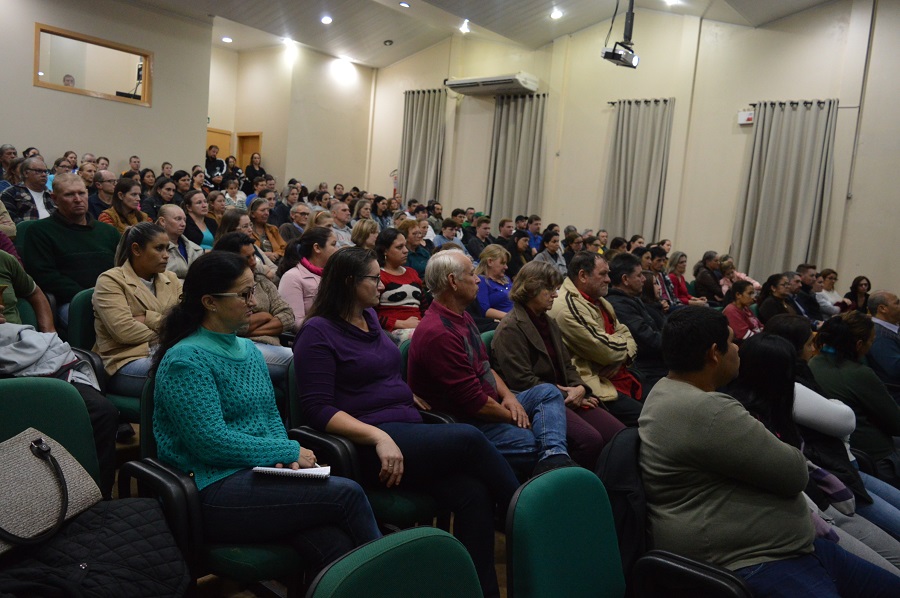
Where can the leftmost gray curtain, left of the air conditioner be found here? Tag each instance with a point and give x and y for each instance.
(422, 145)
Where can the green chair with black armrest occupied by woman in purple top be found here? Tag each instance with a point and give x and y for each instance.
(393, 508)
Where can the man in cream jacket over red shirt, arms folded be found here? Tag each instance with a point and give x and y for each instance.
(601, 347)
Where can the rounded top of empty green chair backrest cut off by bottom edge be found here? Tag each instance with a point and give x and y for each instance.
(421, 561)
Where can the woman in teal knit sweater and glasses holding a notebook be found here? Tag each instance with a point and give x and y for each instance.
(215, 416)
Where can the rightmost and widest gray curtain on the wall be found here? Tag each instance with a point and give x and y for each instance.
(781, 215)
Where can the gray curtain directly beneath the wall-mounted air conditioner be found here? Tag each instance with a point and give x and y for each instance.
(516, 172)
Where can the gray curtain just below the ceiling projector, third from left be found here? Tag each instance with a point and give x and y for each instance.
(636, 173)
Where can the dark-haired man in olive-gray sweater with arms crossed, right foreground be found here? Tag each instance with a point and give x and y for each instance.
(723, 489)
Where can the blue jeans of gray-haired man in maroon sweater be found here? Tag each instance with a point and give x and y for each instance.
(547, 436)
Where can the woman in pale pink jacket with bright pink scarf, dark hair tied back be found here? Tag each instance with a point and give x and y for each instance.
(301, 269)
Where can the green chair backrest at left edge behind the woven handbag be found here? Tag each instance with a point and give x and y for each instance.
(55, 408)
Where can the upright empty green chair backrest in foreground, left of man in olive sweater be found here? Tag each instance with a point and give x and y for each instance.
(561, 538)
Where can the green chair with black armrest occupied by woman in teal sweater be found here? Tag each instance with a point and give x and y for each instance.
(181, 503)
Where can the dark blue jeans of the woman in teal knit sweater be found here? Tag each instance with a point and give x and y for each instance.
(321, 519)
